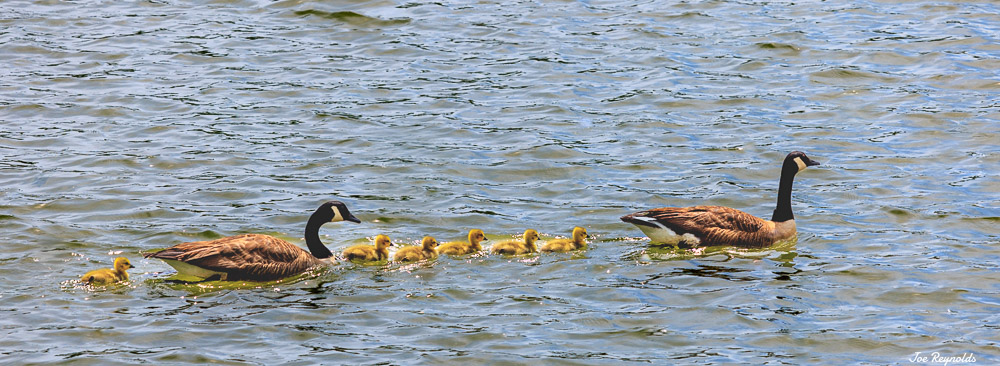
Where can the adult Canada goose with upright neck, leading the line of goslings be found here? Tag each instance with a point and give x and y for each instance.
(716, 225)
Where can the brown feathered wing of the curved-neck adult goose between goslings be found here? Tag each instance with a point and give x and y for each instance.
(243, 257)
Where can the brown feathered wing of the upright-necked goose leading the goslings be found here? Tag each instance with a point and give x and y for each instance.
(715, 225)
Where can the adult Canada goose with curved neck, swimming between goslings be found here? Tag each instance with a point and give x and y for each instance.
(255, 257)
